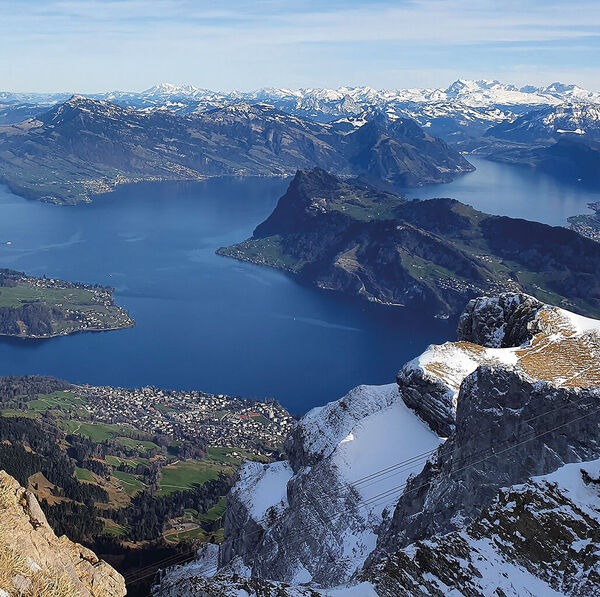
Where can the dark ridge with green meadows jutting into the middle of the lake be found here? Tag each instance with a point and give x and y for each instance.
(433, 254)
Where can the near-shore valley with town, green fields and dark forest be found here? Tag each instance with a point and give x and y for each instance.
(147, 469)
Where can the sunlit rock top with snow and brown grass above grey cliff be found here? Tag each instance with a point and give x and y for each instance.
(515, 331)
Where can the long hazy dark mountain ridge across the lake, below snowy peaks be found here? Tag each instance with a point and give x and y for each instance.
(84, 146)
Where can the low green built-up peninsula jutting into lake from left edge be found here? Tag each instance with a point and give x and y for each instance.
(33, 307)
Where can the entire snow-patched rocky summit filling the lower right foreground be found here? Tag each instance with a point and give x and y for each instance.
(478, 473)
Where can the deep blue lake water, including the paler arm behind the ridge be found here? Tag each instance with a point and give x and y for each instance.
(211, 323)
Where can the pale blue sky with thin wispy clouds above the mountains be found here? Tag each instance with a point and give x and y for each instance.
(97, 45)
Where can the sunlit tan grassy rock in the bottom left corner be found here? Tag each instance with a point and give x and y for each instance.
(35, 562)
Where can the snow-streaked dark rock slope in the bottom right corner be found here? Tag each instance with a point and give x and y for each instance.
(538, 538)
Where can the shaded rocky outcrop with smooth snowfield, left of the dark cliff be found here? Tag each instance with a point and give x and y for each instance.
(318, 524)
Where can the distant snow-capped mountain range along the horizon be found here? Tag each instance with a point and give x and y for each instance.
(475, 102)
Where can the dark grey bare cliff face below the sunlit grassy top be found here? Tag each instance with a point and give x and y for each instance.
(508, 429)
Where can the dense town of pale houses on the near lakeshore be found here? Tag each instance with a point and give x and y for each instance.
(258, 427)
